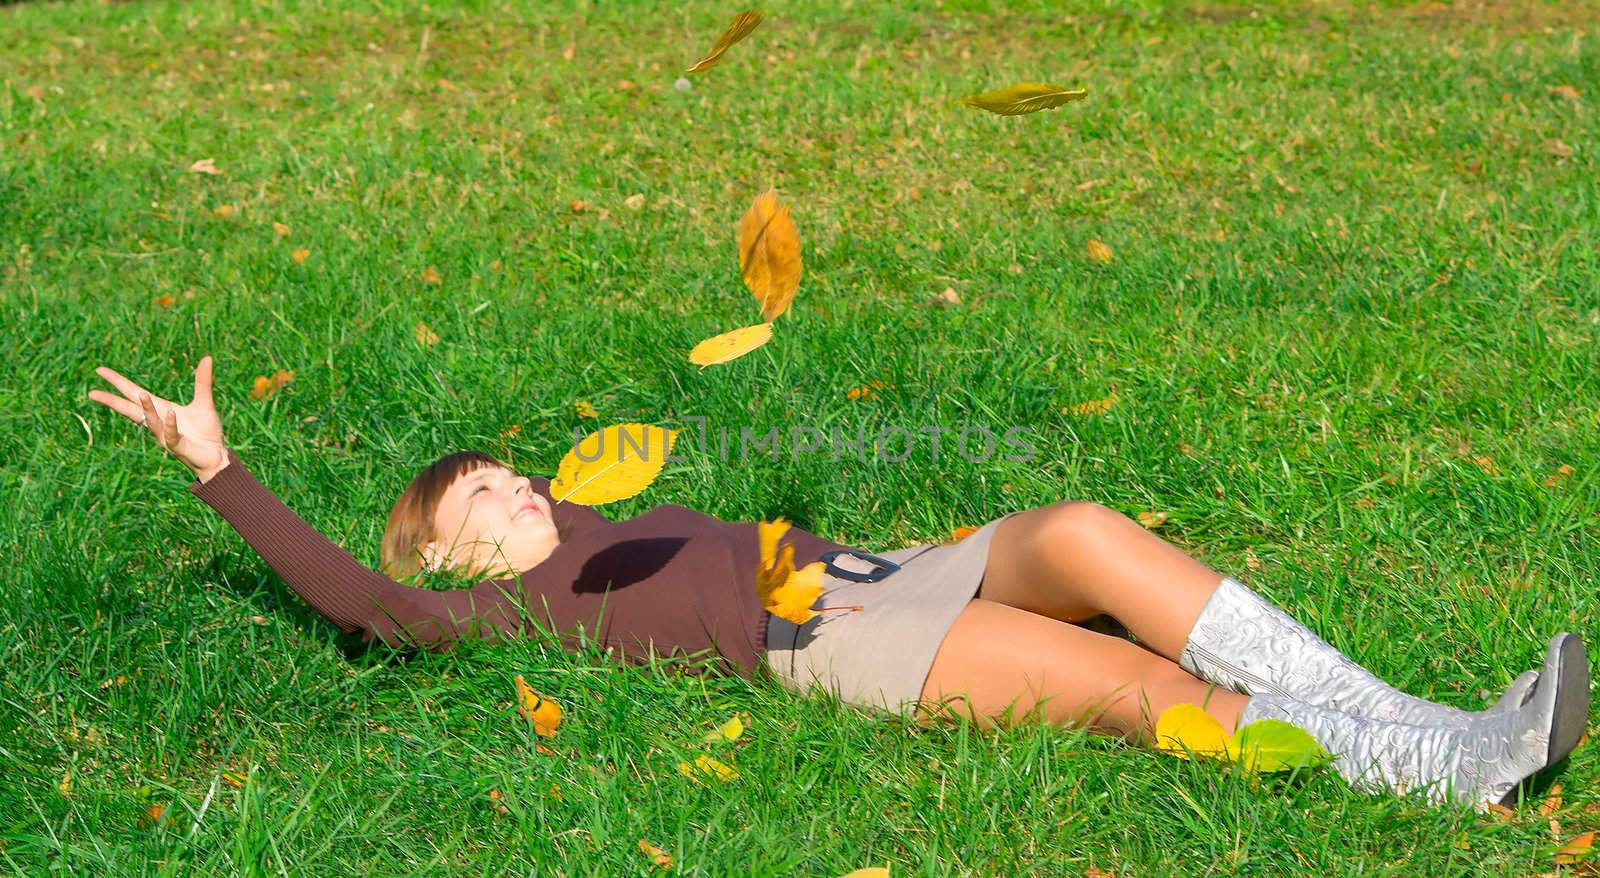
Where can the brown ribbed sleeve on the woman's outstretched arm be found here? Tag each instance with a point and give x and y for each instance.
(348, 594)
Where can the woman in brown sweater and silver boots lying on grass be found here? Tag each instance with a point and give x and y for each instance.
(986, 625)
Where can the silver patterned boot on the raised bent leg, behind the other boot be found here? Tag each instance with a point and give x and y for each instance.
(1249, 645)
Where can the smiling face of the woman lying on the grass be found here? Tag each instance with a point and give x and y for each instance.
(489, 522)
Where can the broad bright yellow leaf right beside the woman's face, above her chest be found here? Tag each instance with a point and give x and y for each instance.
(612, 465)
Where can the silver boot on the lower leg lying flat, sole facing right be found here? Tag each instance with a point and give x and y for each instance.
(1479, 765)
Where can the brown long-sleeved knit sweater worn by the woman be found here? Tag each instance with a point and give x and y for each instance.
(673, 580)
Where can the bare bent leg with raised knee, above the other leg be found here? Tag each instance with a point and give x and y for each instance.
(1076, 561)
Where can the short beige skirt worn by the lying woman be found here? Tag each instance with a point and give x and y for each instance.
(881, 657)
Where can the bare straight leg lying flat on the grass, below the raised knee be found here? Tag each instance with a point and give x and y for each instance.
(999, 660)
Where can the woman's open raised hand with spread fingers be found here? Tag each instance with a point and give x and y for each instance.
(191, 433)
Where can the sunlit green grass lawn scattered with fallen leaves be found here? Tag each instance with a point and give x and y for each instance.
(1348, 265)
